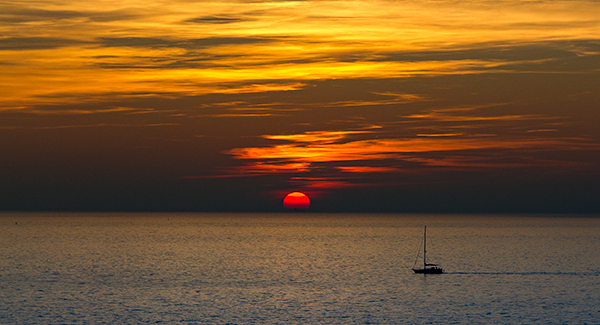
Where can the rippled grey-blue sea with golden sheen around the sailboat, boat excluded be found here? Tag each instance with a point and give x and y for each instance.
(298, 268)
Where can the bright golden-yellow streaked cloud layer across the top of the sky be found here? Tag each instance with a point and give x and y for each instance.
(55, 52)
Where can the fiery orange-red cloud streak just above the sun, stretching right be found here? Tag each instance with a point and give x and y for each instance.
(314, 149)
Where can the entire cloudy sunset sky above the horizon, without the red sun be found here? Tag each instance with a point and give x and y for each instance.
(365, 106)
